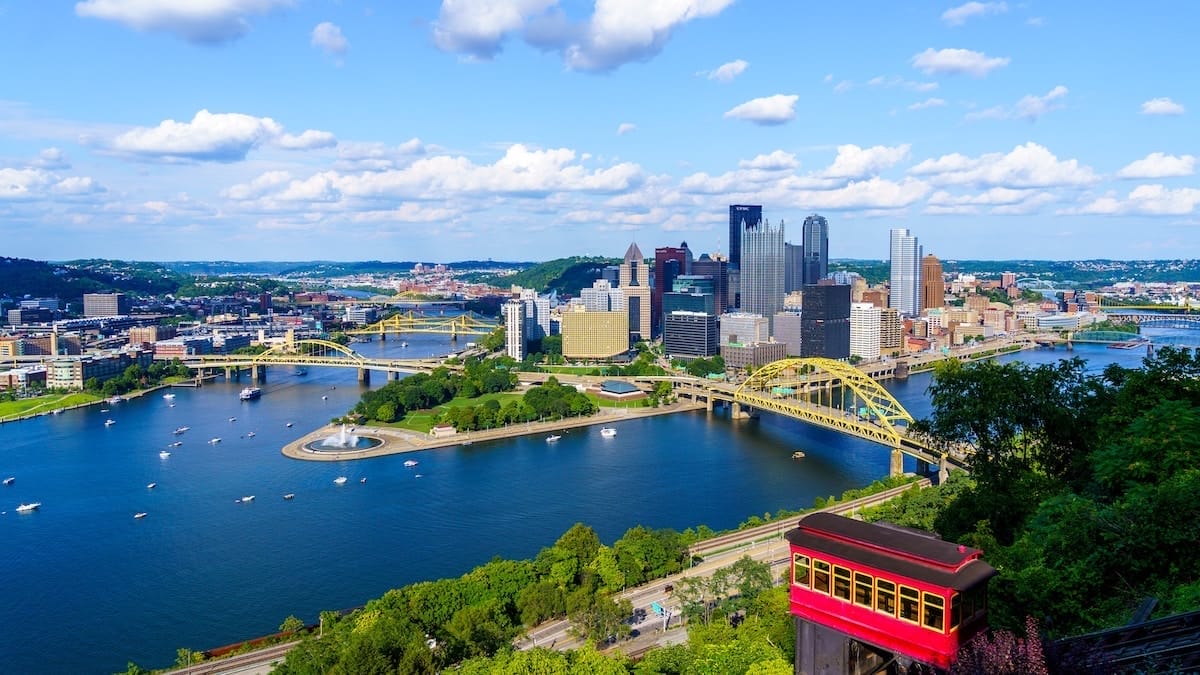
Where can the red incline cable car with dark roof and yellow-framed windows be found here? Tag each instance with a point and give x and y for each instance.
(897, 589)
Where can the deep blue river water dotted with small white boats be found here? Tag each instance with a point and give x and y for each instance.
(88, 588)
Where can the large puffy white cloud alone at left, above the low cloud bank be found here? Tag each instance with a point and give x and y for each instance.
(221, 138)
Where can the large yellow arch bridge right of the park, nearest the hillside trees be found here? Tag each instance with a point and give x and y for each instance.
(837, 396)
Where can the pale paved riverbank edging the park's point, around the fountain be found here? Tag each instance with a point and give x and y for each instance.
(397, 441)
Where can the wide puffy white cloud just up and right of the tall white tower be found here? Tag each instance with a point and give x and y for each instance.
(1025, 166)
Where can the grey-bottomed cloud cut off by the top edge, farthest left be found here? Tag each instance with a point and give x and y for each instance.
(196, 21)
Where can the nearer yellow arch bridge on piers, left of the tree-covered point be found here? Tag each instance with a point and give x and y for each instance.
(310, 353)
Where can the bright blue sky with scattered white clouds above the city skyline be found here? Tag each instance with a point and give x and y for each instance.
(538, 129)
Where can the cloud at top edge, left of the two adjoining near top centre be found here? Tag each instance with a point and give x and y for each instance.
(478, 27)
